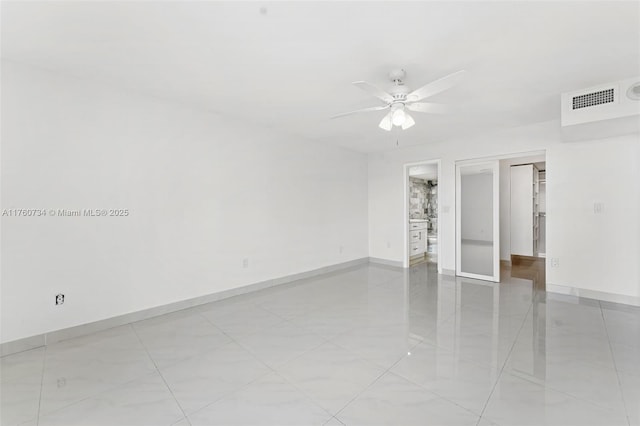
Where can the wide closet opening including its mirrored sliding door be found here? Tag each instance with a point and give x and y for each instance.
(484, 247)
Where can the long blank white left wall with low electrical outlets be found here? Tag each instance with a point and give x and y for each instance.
(203, 193)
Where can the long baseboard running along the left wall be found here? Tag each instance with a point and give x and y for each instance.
(44, 339)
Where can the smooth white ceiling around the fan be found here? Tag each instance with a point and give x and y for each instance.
(289, 65)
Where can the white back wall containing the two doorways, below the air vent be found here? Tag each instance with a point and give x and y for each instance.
(596, 252)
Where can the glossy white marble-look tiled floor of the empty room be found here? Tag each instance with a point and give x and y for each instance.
(366, 346)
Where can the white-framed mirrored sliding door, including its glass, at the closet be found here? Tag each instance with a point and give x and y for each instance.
(478, 220)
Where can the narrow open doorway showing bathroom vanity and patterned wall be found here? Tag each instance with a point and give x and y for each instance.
(422, 211)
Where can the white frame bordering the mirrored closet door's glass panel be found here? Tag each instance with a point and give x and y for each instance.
(495, 168)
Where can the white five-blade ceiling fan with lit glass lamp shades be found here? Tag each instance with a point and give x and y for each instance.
(399, 99)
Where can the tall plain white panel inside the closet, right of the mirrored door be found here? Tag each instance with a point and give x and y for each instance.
(525, 227)
